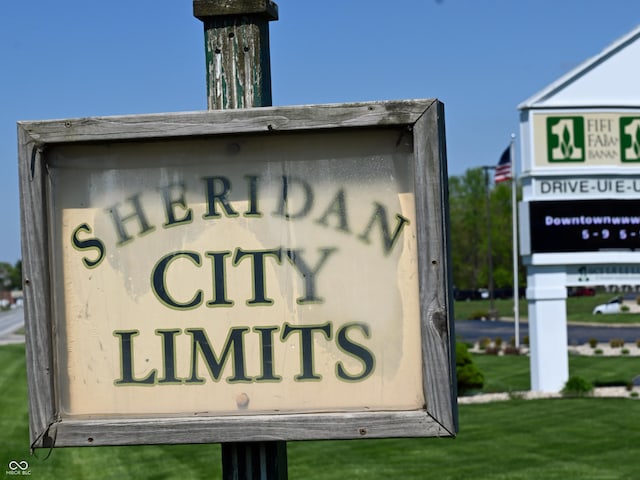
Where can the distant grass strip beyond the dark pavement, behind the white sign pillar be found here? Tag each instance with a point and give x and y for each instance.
(579, 309)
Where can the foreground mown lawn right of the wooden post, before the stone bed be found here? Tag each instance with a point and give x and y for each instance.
(542, 439)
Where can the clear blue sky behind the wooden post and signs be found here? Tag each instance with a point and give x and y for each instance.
(77, 58)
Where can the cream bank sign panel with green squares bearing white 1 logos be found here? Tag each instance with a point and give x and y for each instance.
(597, 138)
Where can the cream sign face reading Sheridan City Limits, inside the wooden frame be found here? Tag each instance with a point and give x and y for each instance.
(237, 275)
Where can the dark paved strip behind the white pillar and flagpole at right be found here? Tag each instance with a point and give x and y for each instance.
(472, 330)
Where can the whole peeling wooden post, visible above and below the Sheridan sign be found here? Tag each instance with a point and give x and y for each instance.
(239, 76)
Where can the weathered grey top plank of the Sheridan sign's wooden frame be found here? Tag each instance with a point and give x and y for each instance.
(264, 119)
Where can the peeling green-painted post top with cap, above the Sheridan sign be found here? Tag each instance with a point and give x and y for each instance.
(237, 51)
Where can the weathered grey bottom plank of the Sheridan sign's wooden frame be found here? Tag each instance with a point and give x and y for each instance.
(257, 428)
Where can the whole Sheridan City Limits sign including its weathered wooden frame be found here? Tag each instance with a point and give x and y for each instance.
(227, 276)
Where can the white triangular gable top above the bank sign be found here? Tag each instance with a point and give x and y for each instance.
(609, 79)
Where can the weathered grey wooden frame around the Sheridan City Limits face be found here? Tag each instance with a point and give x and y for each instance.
(422, 120)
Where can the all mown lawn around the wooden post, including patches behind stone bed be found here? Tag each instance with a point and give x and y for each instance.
(537, 439)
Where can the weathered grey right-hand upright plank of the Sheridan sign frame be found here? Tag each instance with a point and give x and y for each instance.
(434, 268)
